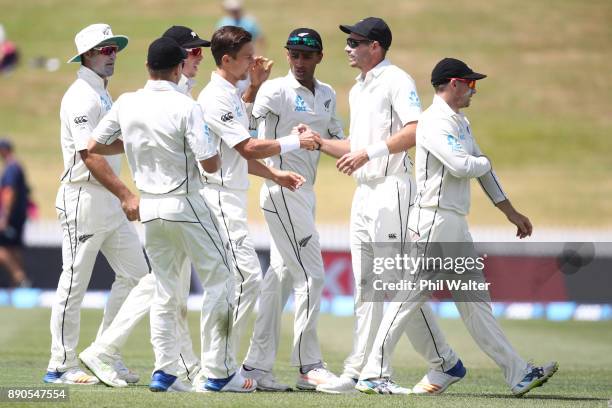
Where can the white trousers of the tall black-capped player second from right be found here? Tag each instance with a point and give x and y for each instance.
(379, 214)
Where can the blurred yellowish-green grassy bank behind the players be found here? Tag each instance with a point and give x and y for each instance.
(544, 114)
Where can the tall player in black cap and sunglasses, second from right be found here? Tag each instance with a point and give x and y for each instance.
(385, 108)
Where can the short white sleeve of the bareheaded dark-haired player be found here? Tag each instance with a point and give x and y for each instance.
(220, 117)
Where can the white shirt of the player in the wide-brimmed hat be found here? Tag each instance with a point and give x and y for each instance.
(83, 106)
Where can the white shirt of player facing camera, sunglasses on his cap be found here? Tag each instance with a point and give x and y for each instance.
(283, 103)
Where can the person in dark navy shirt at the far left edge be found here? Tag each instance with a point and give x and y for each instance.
(14, 193)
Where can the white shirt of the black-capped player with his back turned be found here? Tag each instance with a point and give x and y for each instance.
(163, 133)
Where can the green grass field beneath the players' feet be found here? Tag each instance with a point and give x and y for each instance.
(582, 349)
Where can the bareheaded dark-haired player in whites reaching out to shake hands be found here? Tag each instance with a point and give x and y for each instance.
(227, 117)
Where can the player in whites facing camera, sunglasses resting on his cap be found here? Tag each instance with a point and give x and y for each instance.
(296, 264)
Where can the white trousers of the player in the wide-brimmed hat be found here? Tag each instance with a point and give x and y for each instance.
(92, 221)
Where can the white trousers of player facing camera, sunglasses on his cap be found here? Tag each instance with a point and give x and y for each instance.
(295, 265)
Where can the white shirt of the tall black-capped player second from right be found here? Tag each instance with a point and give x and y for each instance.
(381, 104)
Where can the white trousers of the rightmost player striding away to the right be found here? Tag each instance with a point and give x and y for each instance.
(437, 225)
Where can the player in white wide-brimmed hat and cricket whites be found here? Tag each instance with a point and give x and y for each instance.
(89, 205)
